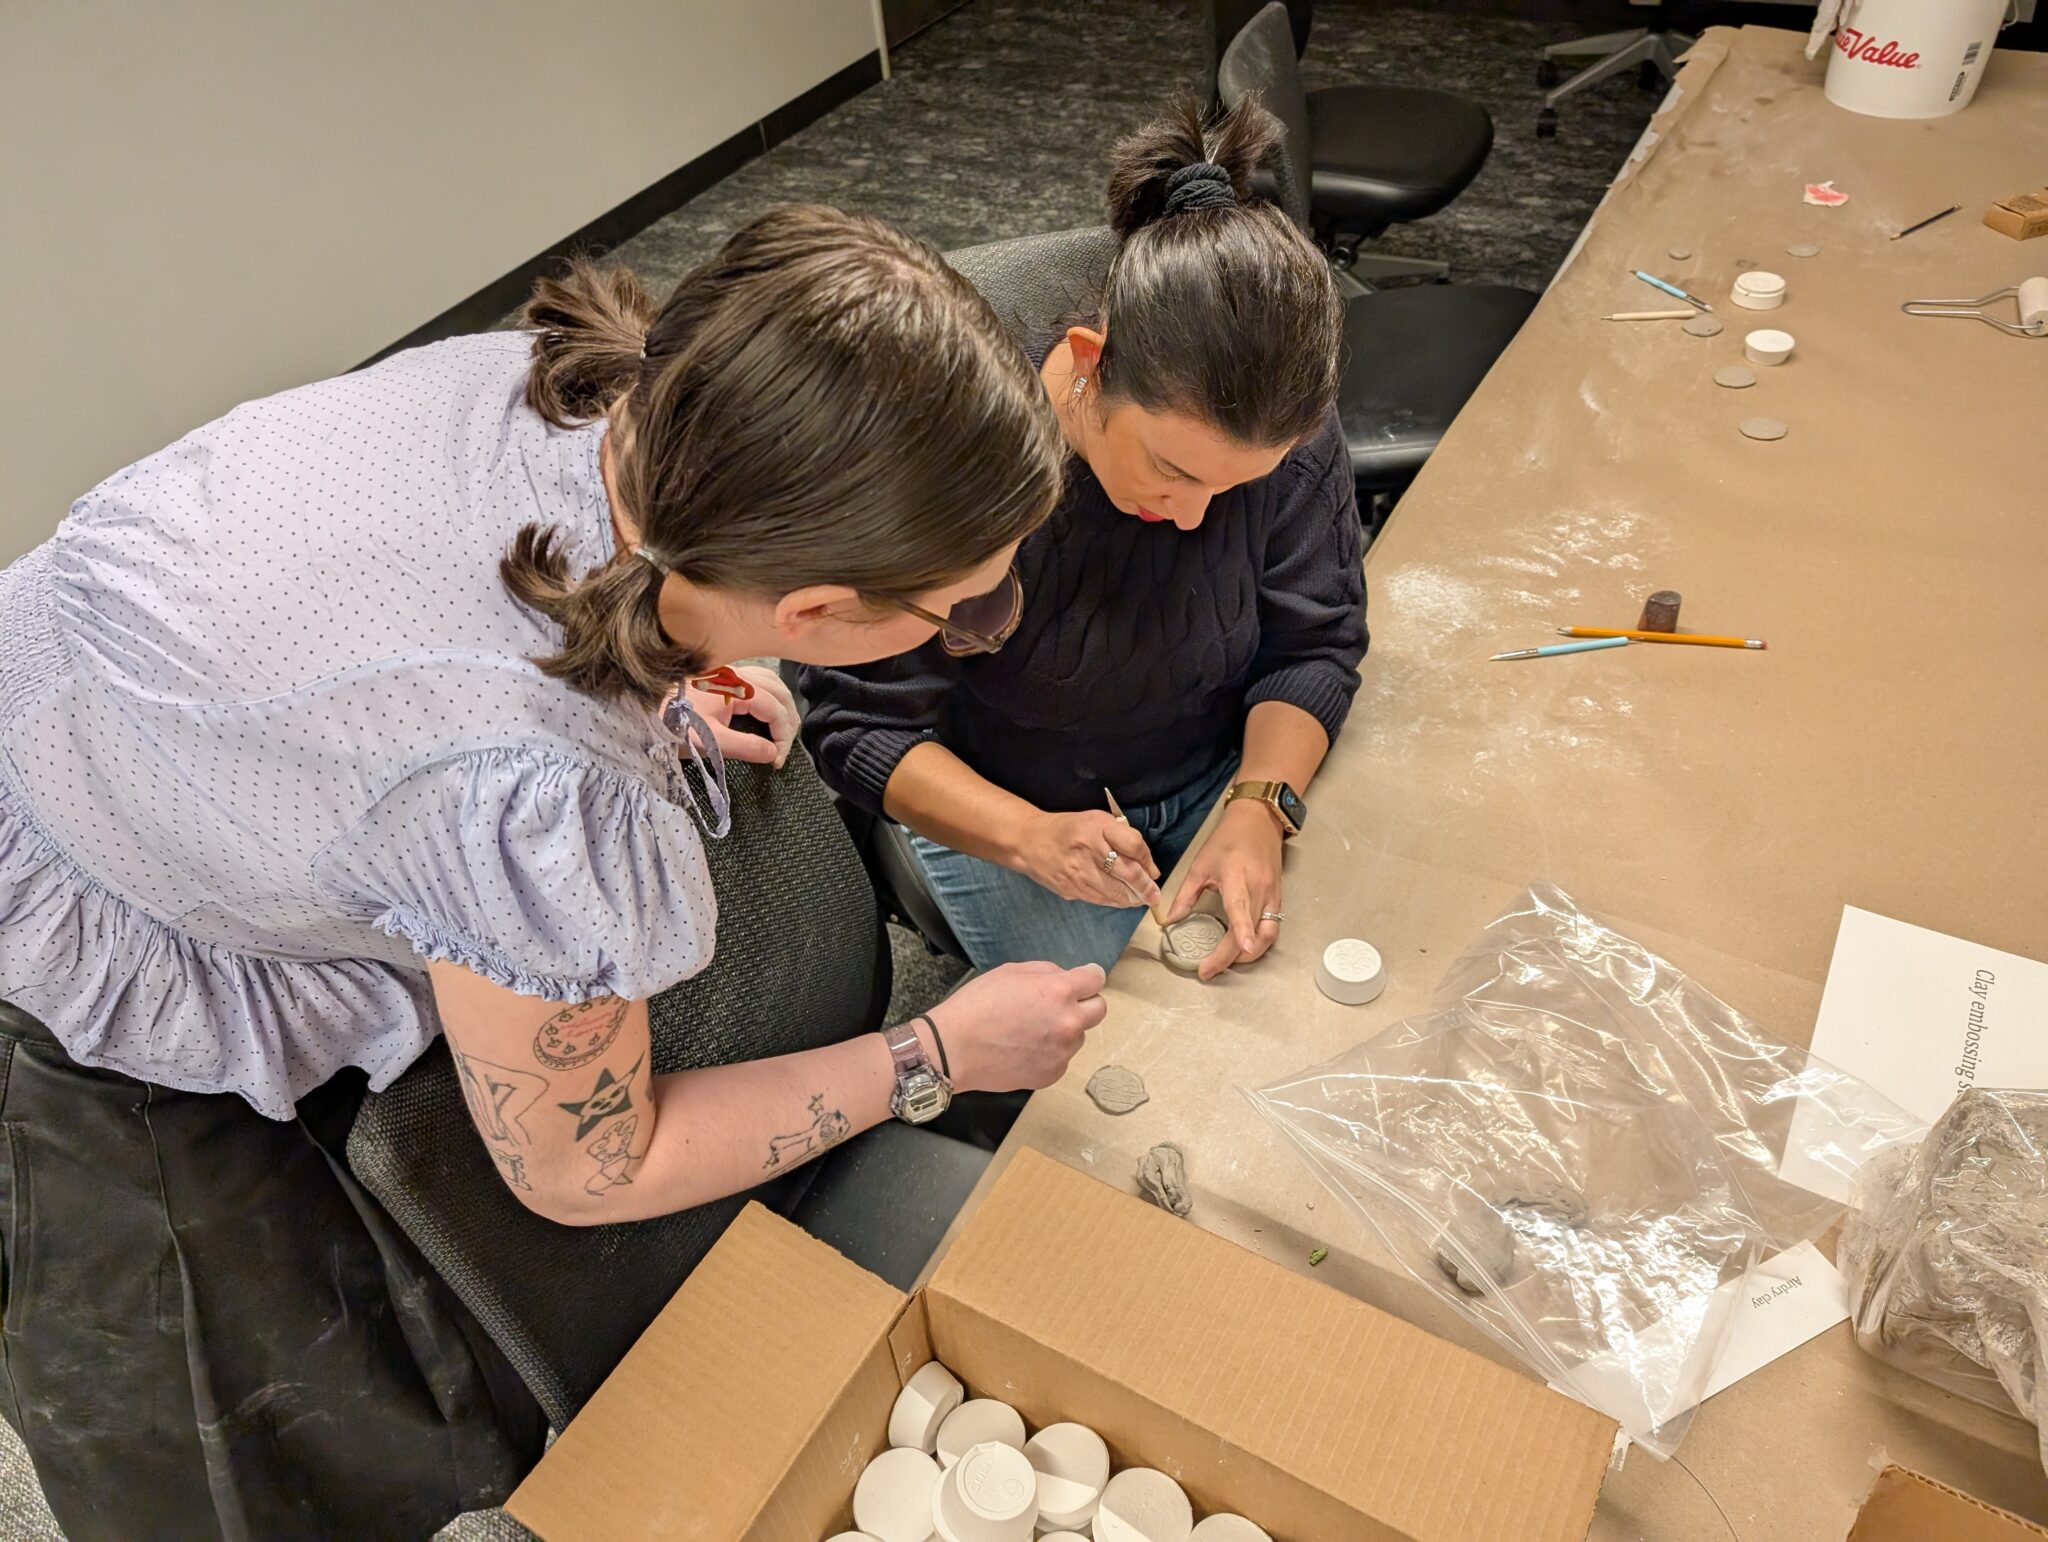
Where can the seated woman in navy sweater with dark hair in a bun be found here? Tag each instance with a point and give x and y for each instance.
(1189, 622)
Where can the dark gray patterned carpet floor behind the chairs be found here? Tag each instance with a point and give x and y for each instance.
(998, 122)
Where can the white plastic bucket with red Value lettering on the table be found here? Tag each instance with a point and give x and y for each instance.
(1912, 58)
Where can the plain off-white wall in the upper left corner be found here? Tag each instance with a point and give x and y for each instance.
(214, 200)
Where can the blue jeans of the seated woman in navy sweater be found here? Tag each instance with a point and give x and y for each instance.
(1005, 918)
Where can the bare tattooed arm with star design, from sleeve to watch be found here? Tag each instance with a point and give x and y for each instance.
(585, 1133)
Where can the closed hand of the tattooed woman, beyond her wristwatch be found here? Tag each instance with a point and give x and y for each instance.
(1017, 1027)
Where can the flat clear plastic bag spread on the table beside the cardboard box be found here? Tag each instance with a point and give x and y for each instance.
(1578, 1148)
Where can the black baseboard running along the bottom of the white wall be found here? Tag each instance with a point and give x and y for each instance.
(505, 294)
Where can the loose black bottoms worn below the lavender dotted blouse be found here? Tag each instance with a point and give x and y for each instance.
(210, 1330)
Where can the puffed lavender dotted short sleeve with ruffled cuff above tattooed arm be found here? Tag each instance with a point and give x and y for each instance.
(546, 873)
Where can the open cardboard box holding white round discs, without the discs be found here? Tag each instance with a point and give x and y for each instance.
(757, 1398)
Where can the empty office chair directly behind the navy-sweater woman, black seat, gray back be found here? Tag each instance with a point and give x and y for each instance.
(1414, 355)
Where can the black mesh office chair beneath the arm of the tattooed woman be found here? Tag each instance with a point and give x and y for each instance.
(802, 961)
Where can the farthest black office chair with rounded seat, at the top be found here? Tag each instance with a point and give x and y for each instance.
(1377, 155)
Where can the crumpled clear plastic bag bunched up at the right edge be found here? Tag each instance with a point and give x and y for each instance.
(1947, 1254)
